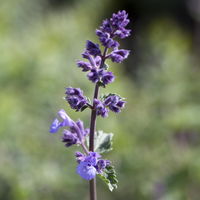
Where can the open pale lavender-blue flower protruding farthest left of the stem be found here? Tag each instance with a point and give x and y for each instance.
(56, 124)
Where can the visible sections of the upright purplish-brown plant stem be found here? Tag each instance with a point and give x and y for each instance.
(93, 193)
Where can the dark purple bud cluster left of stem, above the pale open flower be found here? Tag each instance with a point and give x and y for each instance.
(75, 98)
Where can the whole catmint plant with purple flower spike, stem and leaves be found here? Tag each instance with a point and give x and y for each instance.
(90, 162)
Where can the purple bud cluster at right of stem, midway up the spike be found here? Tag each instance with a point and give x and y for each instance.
(114, 103)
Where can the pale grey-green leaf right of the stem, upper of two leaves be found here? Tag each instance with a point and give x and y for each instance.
(103, 142)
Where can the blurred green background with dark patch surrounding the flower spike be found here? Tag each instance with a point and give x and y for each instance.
(157, 137)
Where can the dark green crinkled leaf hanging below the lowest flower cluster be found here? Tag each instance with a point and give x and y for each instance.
(109, 177)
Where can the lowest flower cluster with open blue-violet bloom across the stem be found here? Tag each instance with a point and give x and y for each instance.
(90, 165)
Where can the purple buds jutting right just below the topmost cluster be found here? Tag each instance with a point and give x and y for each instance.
(119, 55)
